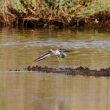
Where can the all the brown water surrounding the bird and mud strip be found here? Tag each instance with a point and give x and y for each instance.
(37, 91)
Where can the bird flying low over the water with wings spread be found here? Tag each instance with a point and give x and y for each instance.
(59, 53)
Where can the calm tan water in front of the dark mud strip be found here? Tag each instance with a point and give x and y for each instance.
(25, 91)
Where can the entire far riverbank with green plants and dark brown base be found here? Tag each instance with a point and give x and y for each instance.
(56, 14)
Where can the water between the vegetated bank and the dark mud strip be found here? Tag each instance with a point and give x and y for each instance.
(18, 48)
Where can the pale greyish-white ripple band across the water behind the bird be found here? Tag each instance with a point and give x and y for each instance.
(69, 44)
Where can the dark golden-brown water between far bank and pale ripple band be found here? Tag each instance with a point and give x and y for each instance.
(9, 34)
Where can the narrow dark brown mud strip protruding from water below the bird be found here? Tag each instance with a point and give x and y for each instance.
(70, 71)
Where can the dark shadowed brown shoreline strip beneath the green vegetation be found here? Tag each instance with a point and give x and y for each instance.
(96, 22)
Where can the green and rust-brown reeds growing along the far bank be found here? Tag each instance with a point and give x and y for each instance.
(65, 12)
